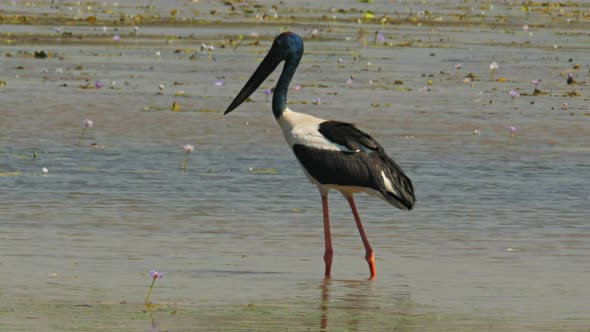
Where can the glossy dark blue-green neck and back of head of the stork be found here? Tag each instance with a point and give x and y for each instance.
(294, 48)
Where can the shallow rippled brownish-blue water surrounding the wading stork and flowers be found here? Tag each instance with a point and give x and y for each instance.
(498, 241)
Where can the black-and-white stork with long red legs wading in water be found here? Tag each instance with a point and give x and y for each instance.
(333, 154)
